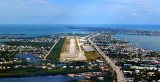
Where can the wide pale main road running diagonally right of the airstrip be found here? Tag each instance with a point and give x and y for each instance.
(120, 76)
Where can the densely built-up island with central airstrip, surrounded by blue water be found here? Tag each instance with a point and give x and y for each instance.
(96, 56)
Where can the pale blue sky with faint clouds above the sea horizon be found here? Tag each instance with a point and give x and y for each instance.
(79, 11)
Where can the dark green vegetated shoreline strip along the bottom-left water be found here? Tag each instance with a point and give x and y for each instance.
(45, 73)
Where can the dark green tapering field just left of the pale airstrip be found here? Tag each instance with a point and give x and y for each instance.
(56, 51)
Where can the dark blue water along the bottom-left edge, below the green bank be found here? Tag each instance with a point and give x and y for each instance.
(40, 79)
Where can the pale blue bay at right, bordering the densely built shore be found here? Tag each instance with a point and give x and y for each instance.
(146, 42)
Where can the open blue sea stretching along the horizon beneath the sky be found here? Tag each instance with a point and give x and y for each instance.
(37, 30)
